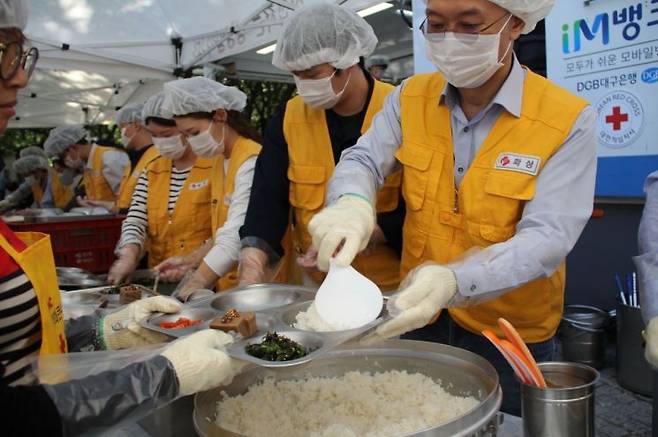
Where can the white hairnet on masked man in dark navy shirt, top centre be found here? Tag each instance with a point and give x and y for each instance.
(323, 33)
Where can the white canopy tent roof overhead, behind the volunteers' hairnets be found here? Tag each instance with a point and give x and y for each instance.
(97, 55)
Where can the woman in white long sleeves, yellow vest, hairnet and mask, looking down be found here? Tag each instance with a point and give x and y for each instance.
(209, 115)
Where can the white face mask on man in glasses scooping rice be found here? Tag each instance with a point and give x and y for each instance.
(466, 61)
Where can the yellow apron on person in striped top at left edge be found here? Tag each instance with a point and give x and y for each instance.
(38, 264)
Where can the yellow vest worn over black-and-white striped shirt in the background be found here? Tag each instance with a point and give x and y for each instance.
(189, 224)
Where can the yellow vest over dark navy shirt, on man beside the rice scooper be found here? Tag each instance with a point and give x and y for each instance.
(311, 164)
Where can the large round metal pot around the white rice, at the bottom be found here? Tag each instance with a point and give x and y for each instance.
(461, 373)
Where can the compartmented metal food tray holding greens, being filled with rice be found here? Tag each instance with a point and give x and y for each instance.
(275, 307)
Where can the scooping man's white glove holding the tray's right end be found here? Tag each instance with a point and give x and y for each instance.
(426, 290)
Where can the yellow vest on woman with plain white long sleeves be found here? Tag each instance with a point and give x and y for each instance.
(222, 186)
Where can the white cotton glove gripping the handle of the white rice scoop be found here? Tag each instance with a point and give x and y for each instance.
(349, 221)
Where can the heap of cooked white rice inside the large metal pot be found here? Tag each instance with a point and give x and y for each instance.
(390, 403)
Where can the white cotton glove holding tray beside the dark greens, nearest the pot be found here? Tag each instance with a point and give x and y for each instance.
(201, 361)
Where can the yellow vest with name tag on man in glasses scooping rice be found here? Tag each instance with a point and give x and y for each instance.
(441, 223)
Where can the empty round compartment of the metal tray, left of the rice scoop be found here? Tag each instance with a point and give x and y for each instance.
(261, 297)
